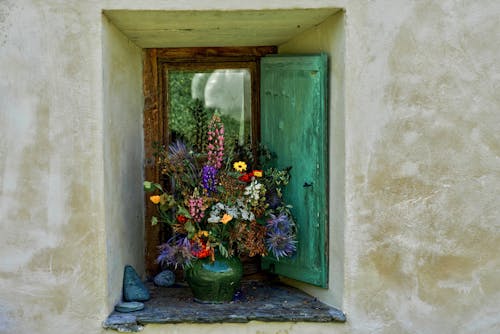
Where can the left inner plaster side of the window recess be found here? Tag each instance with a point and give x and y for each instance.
(123, 103)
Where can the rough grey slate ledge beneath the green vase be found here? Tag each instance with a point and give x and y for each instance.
(256, 301)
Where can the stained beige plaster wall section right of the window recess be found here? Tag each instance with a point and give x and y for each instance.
(423, 167)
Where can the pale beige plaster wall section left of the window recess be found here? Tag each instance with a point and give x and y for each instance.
(52, 263)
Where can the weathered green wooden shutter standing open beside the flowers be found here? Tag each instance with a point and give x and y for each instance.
(294, 125)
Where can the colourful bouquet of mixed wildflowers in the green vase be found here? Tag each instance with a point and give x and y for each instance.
(219, 207)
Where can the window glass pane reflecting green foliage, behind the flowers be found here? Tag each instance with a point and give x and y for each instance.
(193, 97)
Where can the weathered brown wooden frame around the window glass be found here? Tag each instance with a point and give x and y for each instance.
(157, 62)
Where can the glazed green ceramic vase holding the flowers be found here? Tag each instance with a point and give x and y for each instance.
(215, 282)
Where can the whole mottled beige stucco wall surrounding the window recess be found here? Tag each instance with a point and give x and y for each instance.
(422, 165)
